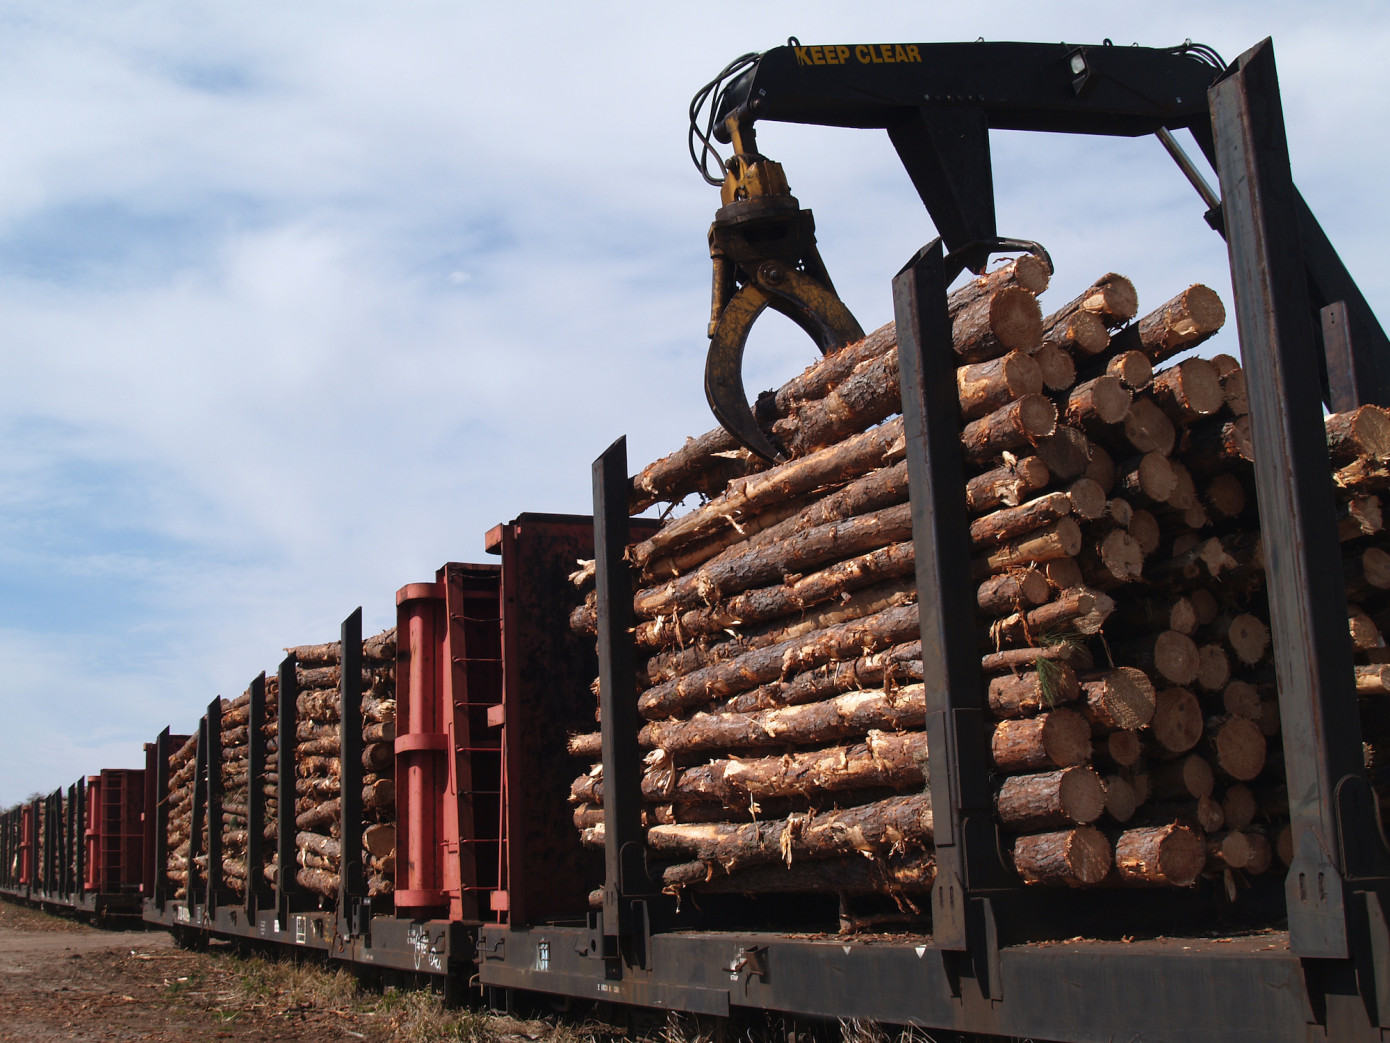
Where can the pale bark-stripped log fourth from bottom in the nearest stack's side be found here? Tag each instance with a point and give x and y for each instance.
(843, 717)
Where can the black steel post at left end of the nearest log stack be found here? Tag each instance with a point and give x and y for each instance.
(623, 849)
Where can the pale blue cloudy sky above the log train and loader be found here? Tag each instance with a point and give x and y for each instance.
(298, 301)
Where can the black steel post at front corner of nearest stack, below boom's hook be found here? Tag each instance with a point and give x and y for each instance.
(965, 836)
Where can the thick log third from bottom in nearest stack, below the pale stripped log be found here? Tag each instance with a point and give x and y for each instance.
(883, 760)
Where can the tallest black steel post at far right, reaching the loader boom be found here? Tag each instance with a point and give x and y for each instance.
(1307, 599)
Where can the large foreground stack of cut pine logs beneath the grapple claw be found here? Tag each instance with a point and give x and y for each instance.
(1124, 625)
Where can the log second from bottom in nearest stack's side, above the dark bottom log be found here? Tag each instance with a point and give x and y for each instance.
(871, 830)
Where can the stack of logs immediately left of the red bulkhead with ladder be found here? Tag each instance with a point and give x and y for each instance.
(318, 768)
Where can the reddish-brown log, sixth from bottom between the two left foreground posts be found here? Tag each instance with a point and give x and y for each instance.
(760, 667)
